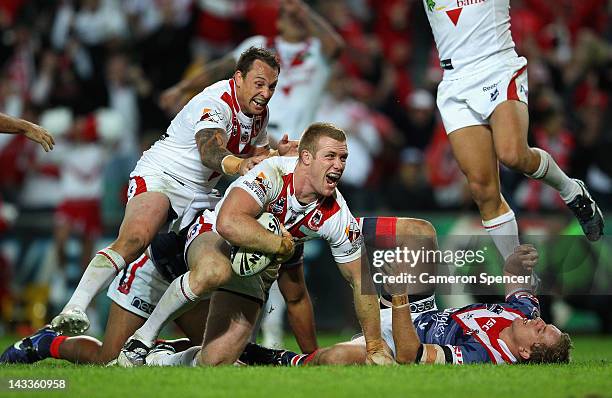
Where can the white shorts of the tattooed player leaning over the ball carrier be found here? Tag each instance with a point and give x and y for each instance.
(185, 201)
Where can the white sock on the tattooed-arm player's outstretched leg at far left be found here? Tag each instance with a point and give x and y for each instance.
(105, 265)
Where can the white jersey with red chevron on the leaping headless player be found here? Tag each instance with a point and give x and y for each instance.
(470, 34)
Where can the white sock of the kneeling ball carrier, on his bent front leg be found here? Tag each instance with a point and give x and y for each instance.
(177, 296)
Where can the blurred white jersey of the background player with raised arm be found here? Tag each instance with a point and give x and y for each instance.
(301, 83)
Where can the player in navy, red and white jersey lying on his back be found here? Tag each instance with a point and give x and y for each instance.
(509, 332)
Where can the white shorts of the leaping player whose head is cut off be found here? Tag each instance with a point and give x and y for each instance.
(469, 101)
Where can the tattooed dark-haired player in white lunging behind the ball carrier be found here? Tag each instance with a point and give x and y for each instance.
(214, 134)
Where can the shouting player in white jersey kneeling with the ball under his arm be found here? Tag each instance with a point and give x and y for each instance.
(301, 193)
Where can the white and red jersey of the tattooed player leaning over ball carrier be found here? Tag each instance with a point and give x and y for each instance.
(216, 107)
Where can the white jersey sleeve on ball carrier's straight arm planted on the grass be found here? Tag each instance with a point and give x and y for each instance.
(343, 235)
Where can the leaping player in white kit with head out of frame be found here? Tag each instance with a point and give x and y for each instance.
(483, 102)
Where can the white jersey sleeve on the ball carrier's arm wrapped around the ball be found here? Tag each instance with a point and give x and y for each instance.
(260, 182)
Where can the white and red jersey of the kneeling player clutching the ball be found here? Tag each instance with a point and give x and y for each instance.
(270, 183)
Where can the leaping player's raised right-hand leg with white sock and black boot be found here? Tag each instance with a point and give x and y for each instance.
(510, 122)
